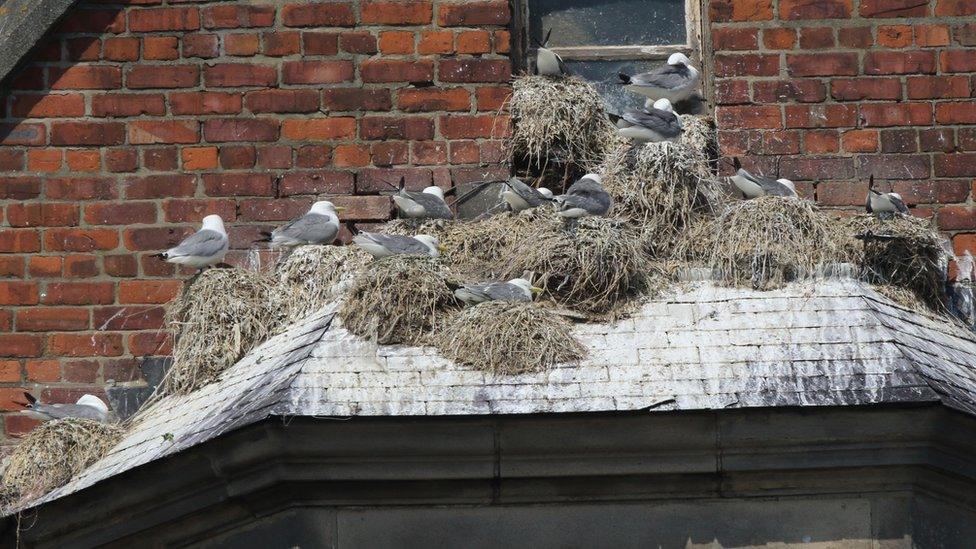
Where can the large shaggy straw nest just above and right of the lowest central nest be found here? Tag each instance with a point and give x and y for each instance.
(594, 265)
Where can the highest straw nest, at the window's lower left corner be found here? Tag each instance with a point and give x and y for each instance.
(559, 120)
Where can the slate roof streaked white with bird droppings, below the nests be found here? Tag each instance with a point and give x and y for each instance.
(830, 342)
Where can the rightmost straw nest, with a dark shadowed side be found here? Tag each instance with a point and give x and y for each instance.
(904, 251)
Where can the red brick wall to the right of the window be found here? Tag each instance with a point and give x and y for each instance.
(836, 90)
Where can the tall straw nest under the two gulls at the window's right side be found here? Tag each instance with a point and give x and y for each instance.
(663, 187)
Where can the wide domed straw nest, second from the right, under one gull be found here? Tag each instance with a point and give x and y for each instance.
(764, 242)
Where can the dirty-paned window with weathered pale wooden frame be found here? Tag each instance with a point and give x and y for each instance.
(600, 38)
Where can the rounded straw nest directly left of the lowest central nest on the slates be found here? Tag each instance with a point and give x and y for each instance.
(397, 299)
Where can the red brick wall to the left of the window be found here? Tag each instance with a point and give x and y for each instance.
(129, 125)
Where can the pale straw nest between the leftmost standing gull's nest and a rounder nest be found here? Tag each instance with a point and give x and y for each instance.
(313, 276)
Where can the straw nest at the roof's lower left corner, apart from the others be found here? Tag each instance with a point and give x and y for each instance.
(51, 454)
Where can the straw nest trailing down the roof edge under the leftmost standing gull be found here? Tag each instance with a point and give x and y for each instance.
(221, 316)
